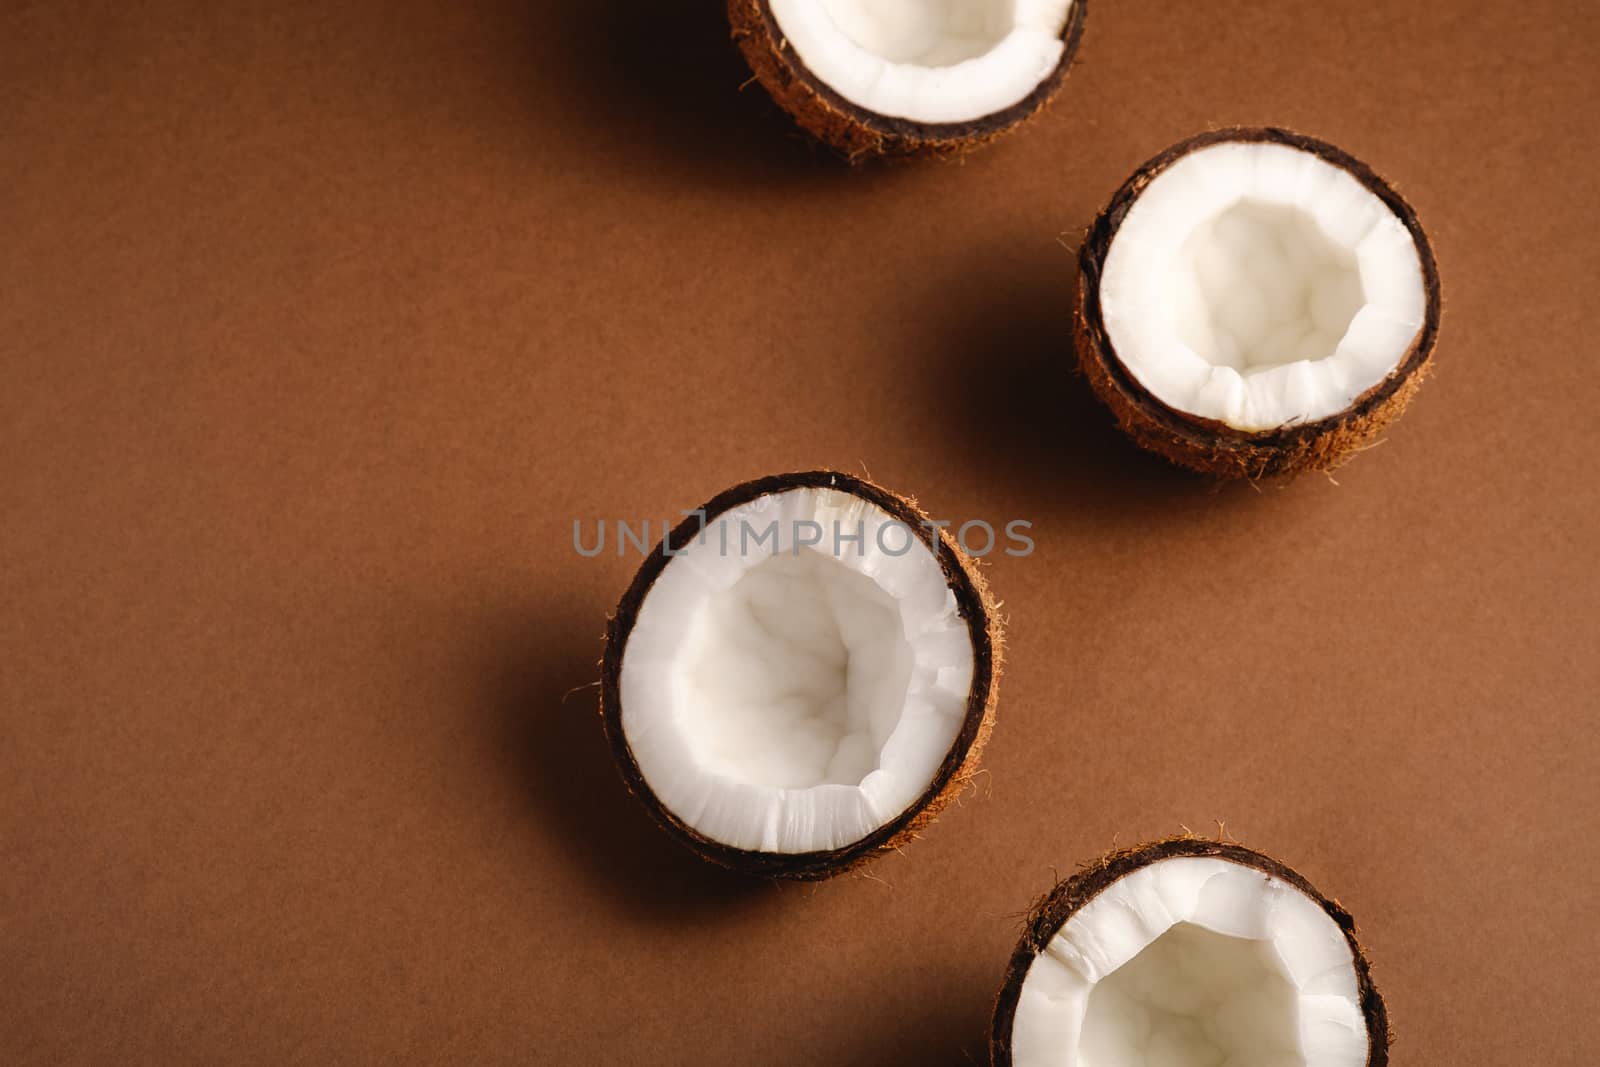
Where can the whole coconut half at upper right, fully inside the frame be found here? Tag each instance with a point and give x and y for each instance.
(1255, 303)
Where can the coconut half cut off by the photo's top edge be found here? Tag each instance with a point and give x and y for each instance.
(910, 78)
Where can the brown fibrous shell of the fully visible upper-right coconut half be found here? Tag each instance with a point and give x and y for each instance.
(1212, 447)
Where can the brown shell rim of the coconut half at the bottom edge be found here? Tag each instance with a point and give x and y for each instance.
(1052, 913)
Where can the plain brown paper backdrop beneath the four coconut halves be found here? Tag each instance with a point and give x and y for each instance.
(322, 322)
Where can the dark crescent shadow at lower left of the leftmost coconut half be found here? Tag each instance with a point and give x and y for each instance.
(550, 719)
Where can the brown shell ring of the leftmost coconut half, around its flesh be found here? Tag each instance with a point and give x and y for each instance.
(974, 604)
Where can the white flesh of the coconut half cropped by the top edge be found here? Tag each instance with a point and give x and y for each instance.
(930, 62)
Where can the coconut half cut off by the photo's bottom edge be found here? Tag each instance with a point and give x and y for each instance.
(1190, 954)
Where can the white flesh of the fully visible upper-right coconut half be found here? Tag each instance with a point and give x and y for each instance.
(1260, 286)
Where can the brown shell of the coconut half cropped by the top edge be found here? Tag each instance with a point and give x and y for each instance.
(862, 134)
